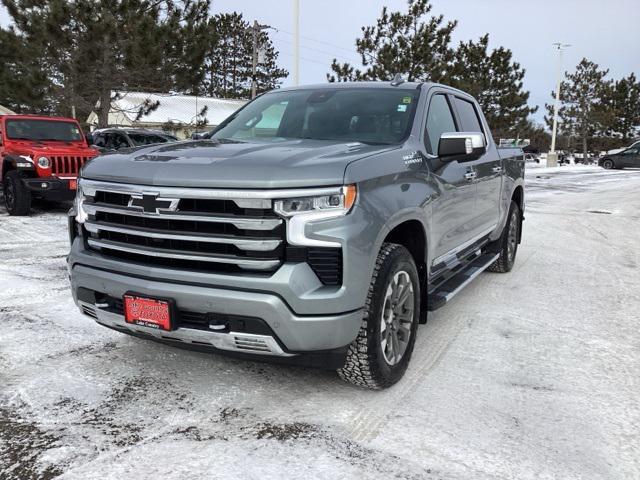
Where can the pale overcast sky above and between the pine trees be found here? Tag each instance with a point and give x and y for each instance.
(606, 32)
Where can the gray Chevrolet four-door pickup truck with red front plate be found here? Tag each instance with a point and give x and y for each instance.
(317, 225)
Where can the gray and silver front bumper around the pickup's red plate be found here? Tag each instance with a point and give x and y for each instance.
(292, 334)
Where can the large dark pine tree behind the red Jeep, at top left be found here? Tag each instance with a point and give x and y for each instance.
(89, 49)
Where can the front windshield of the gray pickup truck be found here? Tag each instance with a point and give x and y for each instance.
(367, 115)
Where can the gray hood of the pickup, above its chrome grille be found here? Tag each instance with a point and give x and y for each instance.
(213, 164)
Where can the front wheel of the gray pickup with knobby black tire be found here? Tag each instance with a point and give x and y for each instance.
(373, 361)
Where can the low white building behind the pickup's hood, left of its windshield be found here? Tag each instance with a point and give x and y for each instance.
(175, 113)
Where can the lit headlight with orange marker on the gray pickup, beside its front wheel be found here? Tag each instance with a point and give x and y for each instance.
(338, 203)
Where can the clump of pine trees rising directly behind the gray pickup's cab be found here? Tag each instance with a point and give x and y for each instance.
(417, 46)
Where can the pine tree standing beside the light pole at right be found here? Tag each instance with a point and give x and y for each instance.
(586, 109)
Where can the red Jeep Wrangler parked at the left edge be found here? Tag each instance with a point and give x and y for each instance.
(40, 157)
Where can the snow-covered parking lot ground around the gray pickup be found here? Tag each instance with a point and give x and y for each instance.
(531, 374)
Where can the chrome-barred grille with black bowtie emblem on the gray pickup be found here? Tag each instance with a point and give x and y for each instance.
(189, 228)
